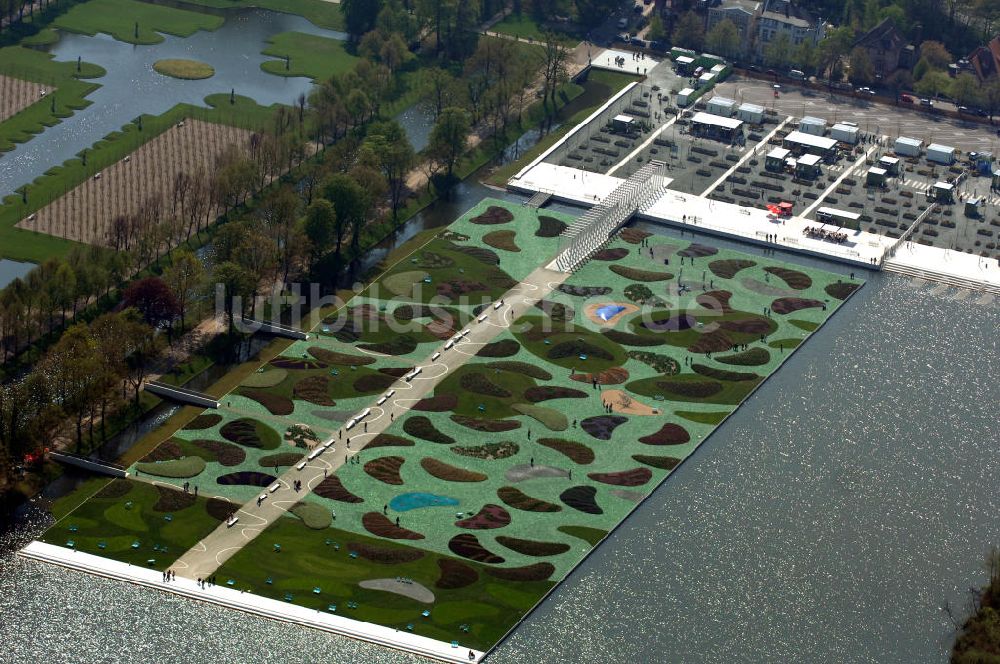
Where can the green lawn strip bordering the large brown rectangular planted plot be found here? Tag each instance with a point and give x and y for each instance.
(20, 244)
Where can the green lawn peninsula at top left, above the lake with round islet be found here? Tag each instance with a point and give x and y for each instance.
(135, 22)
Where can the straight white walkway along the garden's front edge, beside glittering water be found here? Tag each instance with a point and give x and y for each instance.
(267, 608)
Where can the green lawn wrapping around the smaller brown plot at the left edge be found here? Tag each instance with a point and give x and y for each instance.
(71, 90)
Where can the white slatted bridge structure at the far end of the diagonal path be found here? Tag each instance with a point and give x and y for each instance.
(590, 232)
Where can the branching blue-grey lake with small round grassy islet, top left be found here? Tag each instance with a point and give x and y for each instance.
(131, 87)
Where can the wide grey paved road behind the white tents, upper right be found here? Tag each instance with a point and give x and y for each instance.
(872, 117)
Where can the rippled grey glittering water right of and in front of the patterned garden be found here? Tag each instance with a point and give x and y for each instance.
(827, 521)
